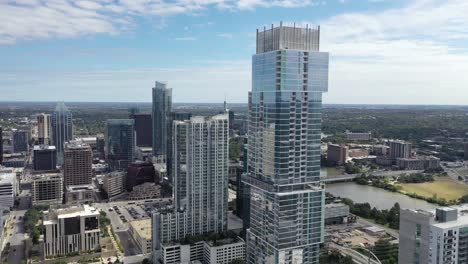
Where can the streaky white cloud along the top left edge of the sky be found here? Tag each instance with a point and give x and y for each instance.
(39, 19)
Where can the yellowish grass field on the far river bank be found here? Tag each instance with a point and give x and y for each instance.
(443, 187)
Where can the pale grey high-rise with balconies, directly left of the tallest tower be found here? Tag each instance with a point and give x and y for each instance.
(200, 181)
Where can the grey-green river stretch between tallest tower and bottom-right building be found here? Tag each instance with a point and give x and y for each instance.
(376, 197)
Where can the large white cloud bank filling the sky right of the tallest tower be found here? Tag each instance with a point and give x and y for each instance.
(402, 55)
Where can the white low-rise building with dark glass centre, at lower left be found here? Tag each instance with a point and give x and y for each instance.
(71, 230)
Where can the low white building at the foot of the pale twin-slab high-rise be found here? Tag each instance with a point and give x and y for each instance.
(224, 251)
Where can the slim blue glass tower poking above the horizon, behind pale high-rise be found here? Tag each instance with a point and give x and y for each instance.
(162, 106)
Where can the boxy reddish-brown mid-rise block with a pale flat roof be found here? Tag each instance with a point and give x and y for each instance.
(78, 164)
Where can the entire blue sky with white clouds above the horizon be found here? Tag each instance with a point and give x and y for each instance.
(382, 51)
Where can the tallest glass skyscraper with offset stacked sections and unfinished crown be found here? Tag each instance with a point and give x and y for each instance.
(286, 209)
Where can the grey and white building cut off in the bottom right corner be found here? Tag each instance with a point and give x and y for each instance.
(434, 237)
